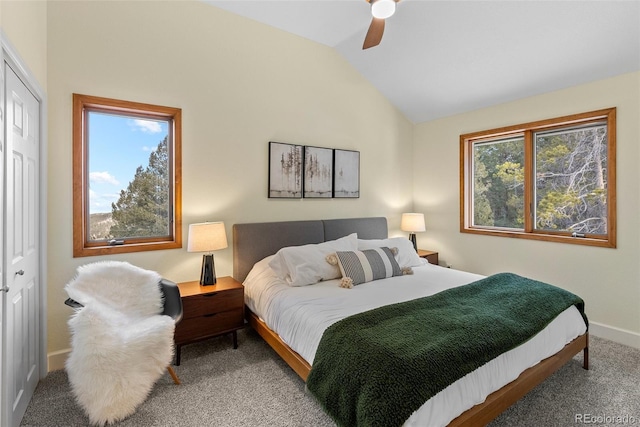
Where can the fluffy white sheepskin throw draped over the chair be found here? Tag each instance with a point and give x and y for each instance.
(120, 344)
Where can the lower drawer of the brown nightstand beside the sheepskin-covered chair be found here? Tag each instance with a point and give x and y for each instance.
(209, 325)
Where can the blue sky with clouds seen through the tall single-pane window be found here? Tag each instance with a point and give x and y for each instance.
(117, 146)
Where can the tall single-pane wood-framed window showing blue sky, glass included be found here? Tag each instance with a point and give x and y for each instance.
(126, 176)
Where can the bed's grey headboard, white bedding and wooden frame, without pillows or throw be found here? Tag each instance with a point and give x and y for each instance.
(461, 403)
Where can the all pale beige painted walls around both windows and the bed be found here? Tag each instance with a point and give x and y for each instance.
(241, 84)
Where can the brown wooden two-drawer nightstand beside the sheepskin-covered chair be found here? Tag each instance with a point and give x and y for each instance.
(209, 311)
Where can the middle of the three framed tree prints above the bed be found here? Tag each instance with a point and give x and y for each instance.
(318, 172)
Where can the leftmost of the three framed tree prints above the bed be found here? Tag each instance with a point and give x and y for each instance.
(285, 170)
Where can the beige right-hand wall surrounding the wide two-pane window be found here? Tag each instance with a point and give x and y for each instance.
(608, 279)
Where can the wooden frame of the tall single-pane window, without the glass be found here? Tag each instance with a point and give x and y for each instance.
(82, 105)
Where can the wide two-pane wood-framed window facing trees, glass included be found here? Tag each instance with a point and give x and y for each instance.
(549, 180)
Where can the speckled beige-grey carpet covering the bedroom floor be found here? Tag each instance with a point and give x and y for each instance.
(251, 386)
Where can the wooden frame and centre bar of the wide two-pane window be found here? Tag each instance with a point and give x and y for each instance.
(527, 130)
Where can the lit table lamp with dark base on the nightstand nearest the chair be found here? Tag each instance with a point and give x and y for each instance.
(207, 237)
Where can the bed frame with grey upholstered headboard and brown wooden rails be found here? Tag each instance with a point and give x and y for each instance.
(281, 234)
